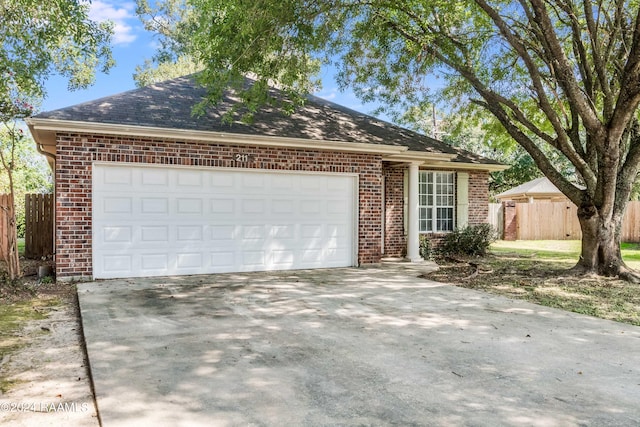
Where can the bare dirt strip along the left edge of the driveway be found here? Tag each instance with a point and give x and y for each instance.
(46, 380)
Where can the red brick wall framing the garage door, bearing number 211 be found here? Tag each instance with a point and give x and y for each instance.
(76, 152)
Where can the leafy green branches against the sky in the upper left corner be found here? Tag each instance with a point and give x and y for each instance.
(40, 38)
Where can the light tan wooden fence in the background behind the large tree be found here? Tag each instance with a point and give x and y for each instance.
(553, 221)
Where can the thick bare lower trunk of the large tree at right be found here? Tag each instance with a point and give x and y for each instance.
(601, 238)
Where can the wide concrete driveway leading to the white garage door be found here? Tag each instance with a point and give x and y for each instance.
(369, 346)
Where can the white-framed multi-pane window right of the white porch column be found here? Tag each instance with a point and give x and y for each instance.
(436, 197)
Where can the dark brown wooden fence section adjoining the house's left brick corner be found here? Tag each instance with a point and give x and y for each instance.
(38, 238)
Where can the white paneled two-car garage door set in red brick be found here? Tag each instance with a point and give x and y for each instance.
(157, 221)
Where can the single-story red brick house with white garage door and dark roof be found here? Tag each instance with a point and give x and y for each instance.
(144, 188)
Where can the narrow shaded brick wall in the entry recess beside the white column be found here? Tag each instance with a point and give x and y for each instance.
(395, 243)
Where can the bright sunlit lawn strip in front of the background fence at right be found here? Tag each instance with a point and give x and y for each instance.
(565, 251)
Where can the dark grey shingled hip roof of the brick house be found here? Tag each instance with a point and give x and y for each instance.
(169, 104)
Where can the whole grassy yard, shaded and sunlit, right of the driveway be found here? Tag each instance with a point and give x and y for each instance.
(538, 271)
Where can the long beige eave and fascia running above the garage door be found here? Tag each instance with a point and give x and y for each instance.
(44, 131)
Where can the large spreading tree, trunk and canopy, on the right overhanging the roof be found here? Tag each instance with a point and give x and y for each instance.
(560, 77)
